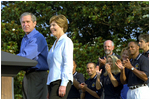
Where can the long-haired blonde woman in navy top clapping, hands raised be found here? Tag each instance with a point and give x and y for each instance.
(110, 80)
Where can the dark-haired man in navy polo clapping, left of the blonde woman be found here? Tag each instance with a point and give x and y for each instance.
(88, 88)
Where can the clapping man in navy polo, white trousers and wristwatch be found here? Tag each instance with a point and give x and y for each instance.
(135, 73)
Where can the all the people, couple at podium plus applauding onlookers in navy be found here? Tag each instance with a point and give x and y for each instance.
(124, 76)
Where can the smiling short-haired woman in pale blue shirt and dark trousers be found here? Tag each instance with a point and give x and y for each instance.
(60, 60)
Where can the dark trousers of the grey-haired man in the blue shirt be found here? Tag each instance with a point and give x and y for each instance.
(34, 85)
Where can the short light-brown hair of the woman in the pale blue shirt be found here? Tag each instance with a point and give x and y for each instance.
(61, 20)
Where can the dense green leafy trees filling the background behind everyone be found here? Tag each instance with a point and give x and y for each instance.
(90, 24)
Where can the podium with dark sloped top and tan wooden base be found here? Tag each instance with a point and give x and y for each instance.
(10, 66)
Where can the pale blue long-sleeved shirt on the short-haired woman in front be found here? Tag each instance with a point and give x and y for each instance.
(60, 61)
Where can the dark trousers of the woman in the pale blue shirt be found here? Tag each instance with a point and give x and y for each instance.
(53, 89)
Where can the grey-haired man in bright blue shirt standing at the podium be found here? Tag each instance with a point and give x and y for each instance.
(34, 46)
